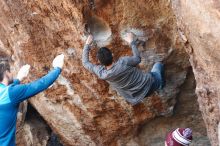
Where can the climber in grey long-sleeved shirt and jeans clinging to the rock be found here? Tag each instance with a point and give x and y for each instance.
(123, 75)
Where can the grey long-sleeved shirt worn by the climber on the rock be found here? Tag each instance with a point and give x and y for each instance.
(129, 81)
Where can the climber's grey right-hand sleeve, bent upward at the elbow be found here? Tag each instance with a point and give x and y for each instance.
(135, 59)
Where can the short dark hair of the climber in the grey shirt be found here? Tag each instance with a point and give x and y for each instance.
(104, 56)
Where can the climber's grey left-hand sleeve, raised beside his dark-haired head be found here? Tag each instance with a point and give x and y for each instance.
(96, 69)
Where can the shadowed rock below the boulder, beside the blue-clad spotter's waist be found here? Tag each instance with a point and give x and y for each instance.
(35, 132)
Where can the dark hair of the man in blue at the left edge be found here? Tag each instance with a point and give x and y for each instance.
(4, 66)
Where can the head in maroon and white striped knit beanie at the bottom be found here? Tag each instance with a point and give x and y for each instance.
(179, 137)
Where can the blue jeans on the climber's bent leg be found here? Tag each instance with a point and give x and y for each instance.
(158, 74)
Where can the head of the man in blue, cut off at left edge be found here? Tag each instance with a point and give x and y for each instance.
(5, 74)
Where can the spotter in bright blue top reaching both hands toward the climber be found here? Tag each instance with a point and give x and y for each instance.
(12, 93)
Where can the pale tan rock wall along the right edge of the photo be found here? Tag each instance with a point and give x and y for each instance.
(199, 20)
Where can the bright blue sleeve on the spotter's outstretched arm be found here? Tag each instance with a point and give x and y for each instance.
(21, 92)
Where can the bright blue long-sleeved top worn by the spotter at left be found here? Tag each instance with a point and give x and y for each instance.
(11, 96)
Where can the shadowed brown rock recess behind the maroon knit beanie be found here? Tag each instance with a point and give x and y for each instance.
(186, 114)
